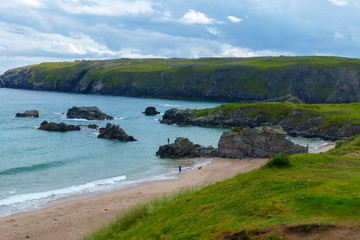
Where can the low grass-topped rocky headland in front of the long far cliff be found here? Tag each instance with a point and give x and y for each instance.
(326, 121)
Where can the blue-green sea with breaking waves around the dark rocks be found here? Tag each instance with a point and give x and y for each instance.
(40, 168)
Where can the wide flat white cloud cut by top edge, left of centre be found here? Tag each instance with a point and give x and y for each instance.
(106, 7)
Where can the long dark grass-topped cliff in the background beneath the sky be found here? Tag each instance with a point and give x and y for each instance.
(310, 79)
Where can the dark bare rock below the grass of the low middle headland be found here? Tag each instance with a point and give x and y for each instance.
(296, 122)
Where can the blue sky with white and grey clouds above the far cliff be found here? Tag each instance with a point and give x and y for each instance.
(35, 31)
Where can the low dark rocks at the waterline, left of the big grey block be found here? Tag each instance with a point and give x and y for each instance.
(184, 148)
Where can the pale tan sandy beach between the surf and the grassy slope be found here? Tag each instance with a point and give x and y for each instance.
(76, 218)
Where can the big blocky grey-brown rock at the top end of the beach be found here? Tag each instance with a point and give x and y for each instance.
(256, 142)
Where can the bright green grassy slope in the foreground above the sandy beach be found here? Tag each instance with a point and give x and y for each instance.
(317, 189)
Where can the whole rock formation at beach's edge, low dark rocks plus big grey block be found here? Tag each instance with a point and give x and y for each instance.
(238, 143)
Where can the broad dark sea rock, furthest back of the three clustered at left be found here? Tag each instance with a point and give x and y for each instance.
(89, 113)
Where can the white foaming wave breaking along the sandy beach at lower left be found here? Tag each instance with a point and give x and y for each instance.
(30, 201)
